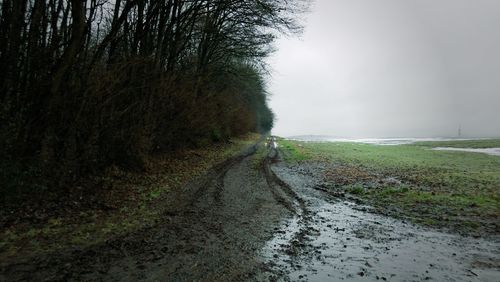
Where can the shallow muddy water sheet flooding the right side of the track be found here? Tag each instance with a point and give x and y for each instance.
(332, 240)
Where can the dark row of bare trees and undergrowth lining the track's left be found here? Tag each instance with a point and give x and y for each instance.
(90, 83)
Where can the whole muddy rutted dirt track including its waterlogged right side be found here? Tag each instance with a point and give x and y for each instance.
(254, 219)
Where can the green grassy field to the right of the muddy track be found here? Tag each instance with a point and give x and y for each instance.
(458, 190)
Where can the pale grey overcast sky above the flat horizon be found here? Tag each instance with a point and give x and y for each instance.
(390, 68)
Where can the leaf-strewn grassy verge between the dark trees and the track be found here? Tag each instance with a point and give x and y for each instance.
(128, 201)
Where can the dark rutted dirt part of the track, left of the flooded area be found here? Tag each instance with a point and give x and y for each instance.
(213, 229)
